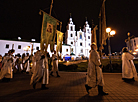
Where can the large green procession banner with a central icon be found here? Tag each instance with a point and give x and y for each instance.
(48, 33)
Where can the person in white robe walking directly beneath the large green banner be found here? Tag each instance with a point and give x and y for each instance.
(40, 70)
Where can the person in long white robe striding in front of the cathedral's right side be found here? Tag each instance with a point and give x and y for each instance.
(94, 72)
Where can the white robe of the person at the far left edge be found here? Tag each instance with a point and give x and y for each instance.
(6, 70)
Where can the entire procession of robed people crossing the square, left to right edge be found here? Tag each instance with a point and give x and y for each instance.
(39, 66)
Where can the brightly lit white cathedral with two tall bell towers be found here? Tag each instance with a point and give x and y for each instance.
(80, 41)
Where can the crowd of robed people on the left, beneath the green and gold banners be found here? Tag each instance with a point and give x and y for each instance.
(37, 65)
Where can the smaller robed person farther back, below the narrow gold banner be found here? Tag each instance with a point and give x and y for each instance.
(55, 64)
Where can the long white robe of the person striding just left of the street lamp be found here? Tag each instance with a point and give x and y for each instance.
(94, 72)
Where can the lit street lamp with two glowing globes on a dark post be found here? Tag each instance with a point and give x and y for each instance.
(110, 34)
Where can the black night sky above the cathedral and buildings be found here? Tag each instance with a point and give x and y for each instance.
(21, 17)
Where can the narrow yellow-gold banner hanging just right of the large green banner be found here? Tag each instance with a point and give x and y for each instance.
(59, 40)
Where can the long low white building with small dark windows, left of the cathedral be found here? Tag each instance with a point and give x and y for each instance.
(21, 47)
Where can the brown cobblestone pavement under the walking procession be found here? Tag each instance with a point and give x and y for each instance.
(70, 87)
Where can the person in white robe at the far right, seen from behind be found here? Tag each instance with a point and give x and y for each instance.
(128, 68)
